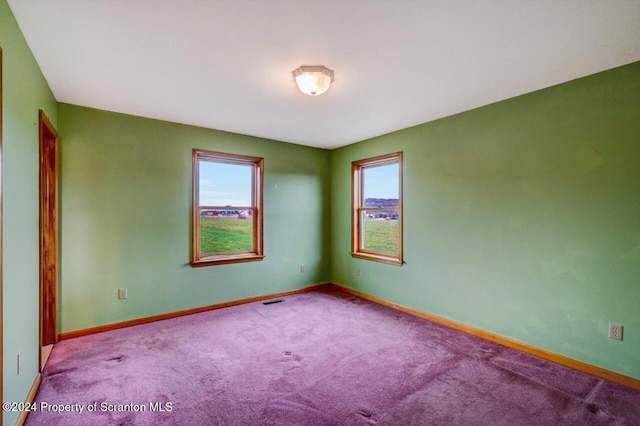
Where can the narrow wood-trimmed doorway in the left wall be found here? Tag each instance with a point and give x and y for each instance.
(48, 237)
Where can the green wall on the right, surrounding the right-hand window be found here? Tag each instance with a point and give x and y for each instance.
(522, 218)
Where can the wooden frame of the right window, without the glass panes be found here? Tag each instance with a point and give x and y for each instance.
(358, 206)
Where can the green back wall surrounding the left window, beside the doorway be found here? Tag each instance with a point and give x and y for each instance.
(126, 218)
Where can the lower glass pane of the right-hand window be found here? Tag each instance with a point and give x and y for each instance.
(380, 231)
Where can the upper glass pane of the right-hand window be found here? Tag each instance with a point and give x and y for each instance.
(381, 185)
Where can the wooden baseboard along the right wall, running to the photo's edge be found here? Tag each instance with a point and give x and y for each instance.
(523, 347)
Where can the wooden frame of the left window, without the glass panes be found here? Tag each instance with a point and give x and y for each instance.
(257, 177)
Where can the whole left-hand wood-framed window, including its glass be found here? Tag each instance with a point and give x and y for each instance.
(227, 208)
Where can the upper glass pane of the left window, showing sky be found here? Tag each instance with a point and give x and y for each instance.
(223, 184)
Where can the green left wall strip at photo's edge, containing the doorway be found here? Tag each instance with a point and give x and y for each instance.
(25, 92)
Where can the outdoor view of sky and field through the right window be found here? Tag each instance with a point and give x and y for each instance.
(380, 221)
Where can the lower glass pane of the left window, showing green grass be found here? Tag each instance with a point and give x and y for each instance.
(226, 231)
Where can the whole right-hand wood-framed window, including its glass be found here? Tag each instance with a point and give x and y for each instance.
(376, 223)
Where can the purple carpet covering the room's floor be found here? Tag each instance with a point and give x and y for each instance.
(320, 358)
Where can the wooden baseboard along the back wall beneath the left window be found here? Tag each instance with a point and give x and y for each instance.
(169, 315)
